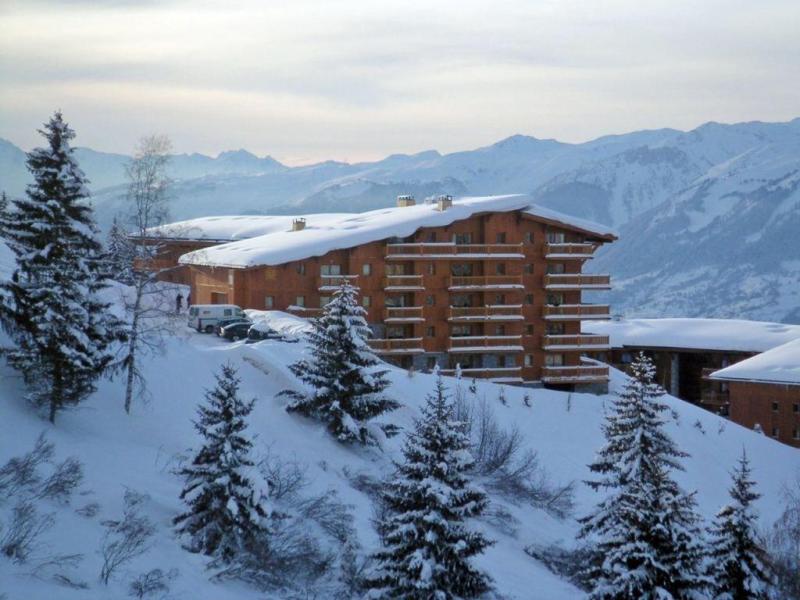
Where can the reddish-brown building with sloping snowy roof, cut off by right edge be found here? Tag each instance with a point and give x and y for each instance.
(764, 392)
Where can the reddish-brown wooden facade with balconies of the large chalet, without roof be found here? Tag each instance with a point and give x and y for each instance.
(498, 294)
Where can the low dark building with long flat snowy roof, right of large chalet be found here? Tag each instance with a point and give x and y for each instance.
(686, 351)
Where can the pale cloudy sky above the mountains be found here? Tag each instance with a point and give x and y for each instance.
(352, 80)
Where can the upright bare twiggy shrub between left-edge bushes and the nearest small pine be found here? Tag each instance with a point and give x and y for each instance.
(127, 538)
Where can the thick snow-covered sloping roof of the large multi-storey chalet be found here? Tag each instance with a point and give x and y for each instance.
(324, 233)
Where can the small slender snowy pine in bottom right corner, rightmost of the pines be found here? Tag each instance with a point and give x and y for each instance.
(737, 564)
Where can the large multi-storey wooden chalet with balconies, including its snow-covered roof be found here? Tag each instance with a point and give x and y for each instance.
(493, 285)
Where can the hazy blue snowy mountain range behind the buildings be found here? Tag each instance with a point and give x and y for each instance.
(708, 219)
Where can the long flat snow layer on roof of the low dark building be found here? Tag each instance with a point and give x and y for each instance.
(695, 334)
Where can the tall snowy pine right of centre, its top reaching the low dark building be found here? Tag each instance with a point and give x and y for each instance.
(646, 531)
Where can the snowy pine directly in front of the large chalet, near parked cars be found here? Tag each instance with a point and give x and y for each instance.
(346, 387)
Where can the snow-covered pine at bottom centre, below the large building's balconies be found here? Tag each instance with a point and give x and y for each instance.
(426, 546)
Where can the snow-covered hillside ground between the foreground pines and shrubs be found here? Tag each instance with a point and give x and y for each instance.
(139, 452)
